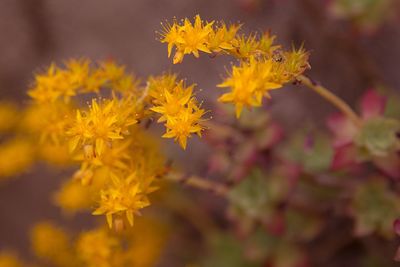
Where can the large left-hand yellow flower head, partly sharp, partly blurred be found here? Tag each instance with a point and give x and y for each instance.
(118, 160)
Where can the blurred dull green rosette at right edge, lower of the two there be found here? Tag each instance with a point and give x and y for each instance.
(375, 208)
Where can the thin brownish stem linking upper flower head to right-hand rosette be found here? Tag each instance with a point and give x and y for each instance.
(332, 98)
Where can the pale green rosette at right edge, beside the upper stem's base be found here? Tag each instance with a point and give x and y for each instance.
(378, 136)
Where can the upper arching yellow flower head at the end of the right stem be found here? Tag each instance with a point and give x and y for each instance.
(264, 66)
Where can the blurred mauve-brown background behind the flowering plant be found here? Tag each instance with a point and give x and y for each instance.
(354, 45)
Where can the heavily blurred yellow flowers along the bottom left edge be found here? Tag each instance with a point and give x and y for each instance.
(52, 245)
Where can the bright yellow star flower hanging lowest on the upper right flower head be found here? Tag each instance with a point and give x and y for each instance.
(249, 82)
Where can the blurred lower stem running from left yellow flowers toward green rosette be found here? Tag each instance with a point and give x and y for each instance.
(199, 183)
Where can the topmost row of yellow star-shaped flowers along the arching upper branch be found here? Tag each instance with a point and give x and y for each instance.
(211, 37)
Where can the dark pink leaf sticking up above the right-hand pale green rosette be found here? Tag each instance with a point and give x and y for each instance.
(372, 104)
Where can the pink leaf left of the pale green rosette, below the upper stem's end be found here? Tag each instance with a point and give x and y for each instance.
(343, 129)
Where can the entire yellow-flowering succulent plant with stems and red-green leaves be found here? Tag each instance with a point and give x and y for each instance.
(93, 118)
